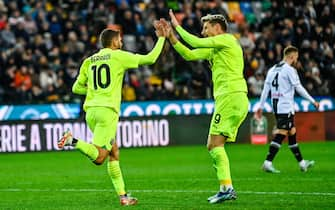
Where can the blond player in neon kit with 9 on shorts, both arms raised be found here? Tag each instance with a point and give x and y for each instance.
(225, 56)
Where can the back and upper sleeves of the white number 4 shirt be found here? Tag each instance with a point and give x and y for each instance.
(281, 79)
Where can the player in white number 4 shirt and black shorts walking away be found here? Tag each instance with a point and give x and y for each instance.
(282, 81)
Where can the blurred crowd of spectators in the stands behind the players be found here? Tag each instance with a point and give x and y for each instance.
(42, 44)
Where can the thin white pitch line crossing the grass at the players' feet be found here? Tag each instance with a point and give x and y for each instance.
(164, 191)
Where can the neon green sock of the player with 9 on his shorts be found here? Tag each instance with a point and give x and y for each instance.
(221, 164)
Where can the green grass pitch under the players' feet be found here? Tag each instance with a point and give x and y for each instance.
(168, 178)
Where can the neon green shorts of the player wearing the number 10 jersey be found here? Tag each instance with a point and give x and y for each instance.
(103, 123)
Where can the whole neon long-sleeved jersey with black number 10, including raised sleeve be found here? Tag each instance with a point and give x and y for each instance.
(101, 75)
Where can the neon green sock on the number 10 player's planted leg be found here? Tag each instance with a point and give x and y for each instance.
(114, 171)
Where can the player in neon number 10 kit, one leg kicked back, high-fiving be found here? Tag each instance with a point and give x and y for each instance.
(100, 79)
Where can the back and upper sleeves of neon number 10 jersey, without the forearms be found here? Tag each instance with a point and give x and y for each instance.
(105, 71)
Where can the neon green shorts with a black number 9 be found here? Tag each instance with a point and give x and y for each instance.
(229, 112)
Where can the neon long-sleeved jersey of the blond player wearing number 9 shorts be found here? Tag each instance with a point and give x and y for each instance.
(225, 55)
